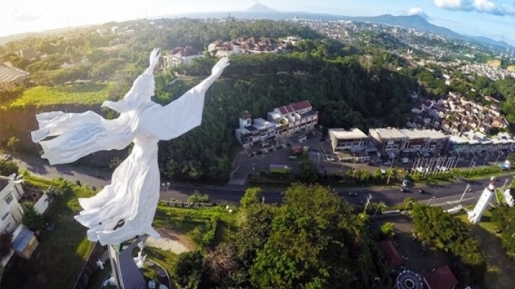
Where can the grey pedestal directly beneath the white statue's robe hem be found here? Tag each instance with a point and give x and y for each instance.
(125, 271)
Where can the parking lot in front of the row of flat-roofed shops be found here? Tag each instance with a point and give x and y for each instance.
(258, 158)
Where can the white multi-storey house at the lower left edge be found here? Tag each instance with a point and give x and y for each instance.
(11, 211)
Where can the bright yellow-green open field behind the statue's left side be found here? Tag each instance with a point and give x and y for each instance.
(84, 93)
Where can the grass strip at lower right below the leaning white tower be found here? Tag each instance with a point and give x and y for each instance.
(500, 266)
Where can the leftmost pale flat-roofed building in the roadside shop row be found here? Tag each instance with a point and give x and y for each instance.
(353, 140)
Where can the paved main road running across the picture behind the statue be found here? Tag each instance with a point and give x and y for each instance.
(446, 196)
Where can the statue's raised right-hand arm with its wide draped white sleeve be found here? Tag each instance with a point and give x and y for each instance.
(185, 113)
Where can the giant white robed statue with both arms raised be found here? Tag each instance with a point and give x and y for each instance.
(125, 208)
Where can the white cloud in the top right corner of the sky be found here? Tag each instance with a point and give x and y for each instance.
(481, 6)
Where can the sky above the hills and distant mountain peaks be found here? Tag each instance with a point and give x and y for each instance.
(492, 18)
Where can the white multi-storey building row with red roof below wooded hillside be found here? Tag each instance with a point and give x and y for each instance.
(284, 121)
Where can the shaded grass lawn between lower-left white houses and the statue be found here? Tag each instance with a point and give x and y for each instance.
(61, 253)
